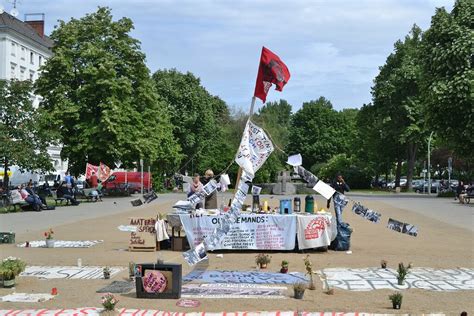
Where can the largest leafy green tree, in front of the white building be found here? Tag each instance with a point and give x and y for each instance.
(98, 93)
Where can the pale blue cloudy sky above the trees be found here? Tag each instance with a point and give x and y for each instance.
(333, 48)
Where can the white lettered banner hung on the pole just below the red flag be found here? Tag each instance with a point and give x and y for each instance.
(255, 148)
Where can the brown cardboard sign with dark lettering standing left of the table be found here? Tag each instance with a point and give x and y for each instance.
(145, 236)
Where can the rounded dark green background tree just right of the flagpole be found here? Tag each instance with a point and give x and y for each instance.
(318, 132)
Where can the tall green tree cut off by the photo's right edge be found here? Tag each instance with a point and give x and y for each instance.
(448, 47)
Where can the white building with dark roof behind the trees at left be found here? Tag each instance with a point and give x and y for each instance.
(24, 48)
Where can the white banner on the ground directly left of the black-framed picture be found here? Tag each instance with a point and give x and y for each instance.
(68, 272)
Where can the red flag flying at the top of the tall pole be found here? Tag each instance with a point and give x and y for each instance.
(271, 70)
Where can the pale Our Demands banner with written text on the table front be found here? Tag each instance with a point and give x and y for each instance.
(266, 232)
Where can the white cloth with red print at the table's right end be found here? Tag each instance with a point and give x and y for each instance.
(316, 230)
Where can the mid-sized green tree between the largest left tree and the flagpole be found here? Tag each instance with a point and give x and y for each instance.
(199, 121)
